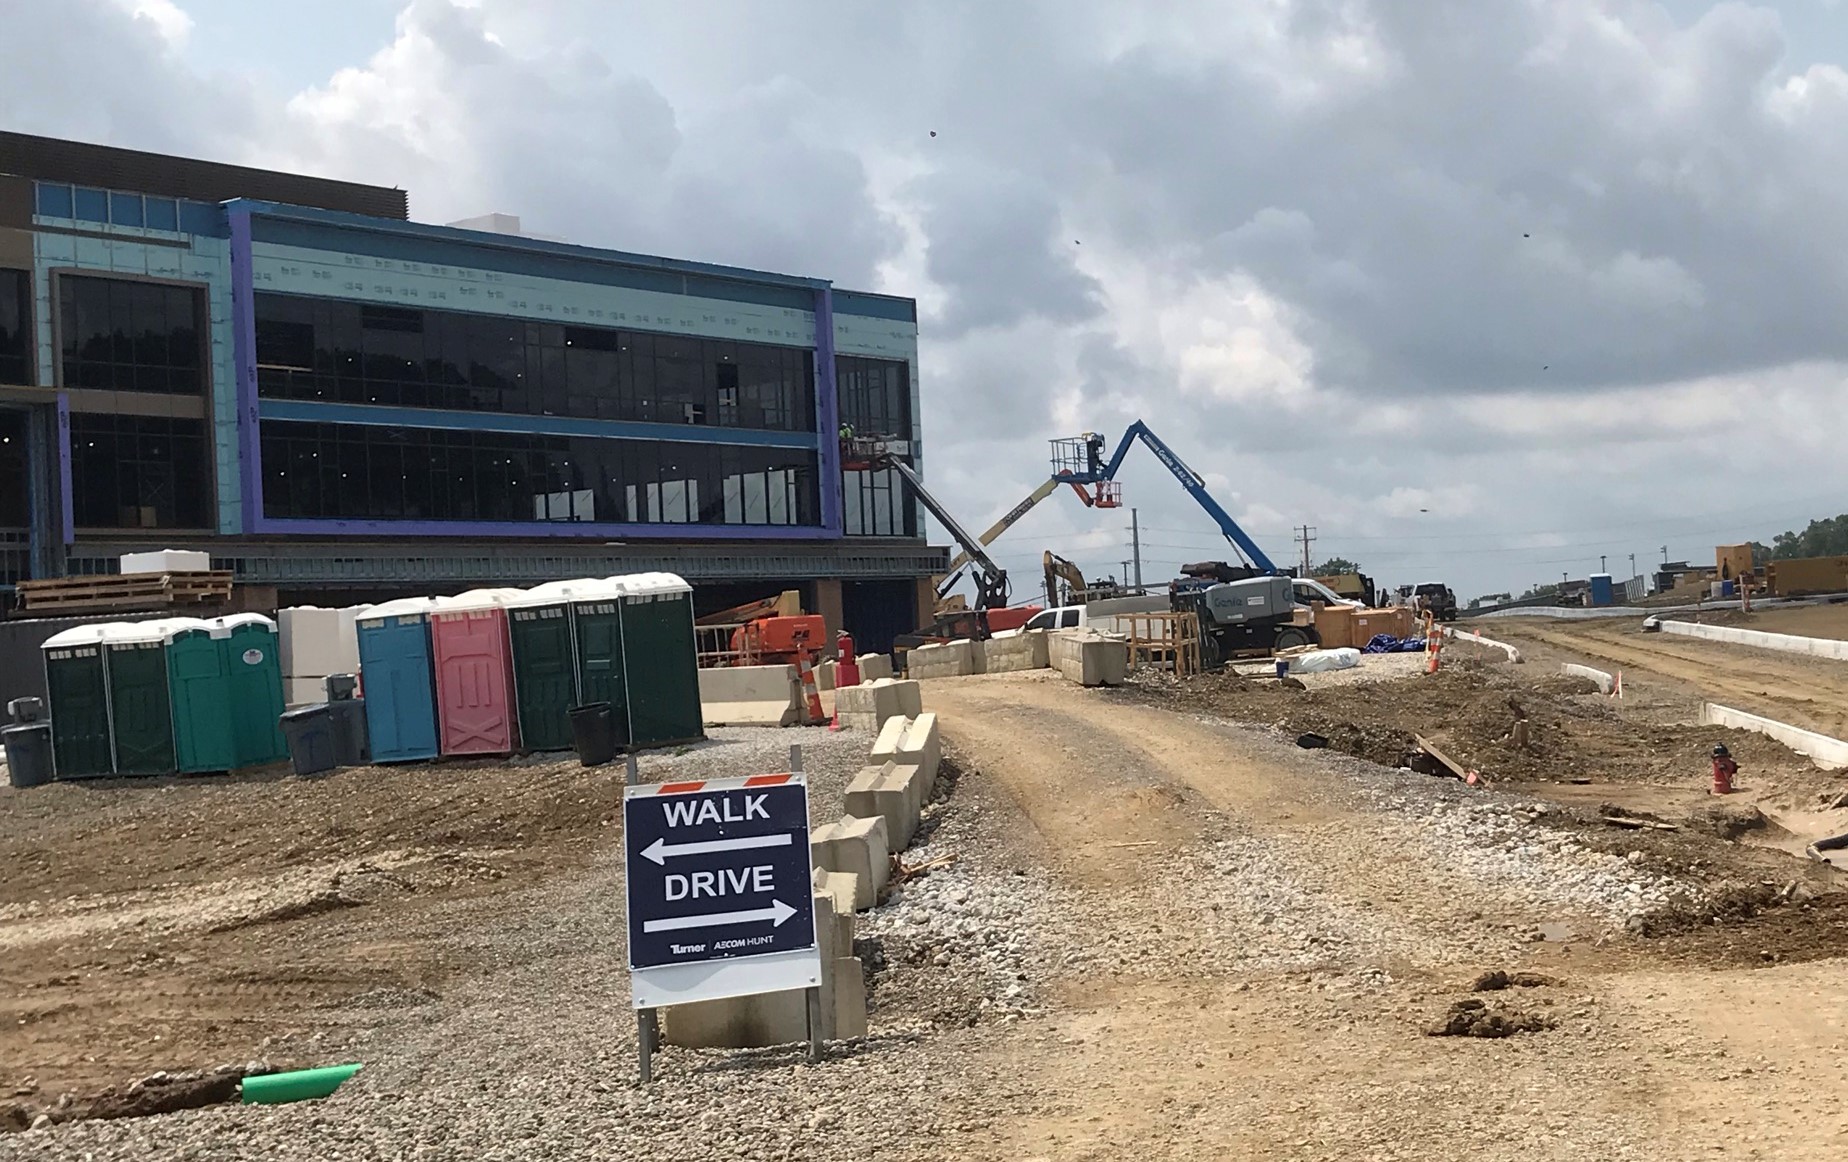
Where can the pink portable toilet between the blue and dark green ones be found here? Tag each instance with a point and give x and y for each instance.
(474, 664)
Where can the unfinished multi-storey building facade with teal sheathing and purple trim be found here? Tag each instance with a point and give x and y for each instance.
(345, 404)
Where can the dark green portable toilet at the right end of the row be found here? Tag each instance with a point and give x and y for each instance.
(661, 660)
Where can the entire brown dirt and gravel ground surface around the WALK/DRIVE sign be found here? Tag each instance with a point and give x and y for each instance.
(1195, 939)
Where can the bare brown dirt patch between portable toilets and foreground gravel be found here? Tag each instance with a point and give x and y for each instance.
(154, 925)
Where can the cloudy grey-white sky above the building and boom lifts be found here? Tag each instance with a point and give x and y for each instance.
(1479, 289)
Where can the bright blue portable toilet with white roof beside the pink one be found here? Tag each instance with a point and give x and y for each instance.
(400, 679)
